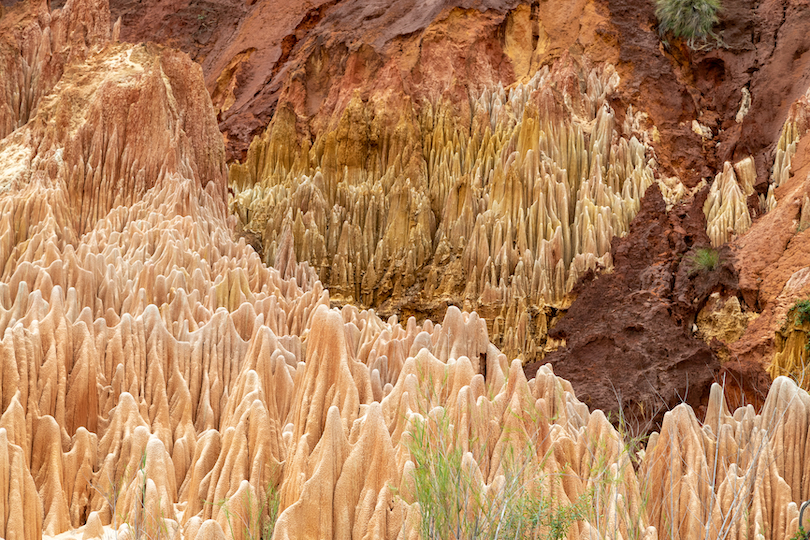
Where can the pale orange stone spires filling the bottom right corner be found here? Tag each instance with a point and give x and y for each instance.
(729, 476)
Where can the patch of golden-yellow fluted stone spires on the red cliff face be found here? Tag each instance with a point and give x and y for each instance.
(501, 217)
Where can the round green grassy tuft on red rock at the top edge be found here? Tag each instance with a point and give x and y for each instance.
(692, 20)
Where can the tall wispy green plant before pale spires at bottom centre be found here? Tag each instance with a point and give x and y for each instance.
(454, 501)
